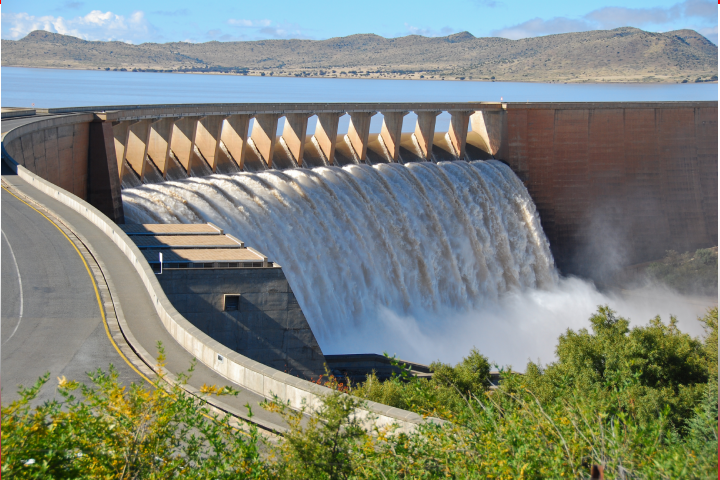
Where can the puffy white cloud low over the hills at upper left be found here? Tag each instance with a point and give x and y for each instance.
(96, 25)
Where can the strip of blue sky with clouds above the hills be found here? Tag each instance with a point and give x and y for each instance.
(136, 21)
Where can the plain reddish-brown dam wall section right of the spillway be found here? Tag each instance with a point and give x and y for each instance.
(617, 184)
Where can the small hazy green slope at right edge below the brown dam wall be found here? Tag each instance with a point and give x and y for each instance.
(689, 273)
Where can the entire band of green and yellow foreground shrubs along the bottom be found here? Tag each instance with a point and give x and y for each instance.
(642, 402)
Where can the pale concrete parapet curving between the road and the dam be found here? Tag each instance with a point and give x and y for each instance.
(241, 370)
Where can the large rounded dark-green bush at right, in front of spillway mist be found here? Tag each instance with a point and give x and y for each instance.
(656, 367)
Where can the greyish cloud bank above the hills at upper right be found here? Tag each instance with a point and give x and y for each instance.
(613, 17)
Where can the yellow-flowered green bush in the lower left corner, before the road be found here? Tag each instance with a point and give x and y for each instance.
(111, 431)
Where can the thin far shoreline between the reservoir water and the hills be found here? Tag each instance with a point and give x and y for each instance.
(323, 77)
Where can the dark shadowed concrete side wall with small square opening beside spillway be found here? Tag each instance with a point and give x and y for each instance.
(268, 325)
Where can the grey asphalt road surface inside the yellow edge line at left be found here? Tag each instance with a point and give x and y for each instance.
(51, 320)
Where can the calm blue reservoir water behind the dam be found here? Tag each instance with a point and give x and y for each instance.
(21, 87)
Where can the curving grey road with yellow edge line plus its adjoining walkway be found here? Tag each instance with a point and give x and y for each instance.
(51, 318)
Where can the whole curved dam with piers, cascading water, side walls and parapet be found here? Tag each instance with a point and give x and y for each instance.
(409, 219)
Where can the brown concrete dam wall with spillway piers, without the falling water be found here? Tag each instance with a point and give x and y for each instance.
(615, 183)
